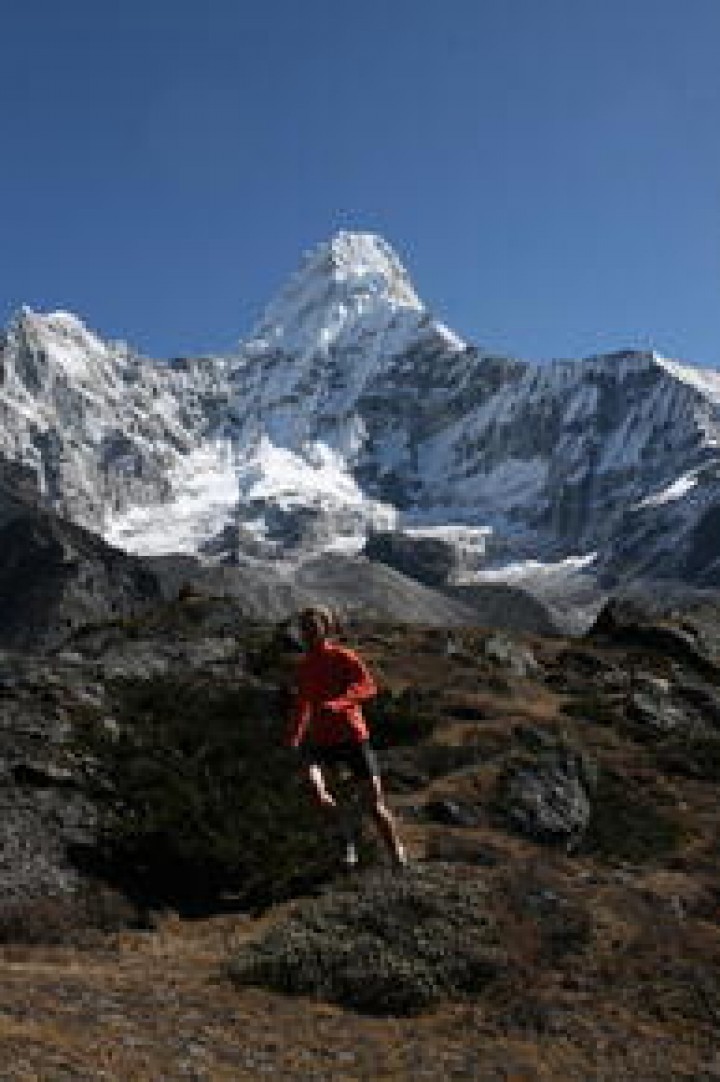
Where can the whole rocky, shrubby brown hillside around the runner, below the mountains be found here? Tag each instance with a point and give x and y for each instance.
(560, 918)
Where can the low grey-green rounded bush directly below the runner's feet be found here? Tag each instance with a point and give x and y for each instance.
(388, 945)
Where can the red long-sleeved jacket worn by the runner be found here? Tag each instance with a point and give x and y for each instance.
(332, 682)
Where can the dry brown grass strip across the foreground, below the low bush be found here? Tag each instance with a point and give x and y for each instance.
(161, 1010)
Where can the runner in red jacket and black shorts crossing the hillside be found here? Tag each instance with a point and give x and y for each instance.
(332, 683)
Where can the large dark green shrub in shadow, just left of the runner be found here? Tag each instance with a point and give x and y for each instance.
(199, 801)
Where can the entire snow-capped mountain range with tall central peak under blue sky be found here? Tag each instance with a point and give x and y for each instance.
(351, 408)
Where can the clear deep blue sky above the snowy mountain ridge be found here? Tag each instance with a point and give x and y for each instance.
(549, 170)
